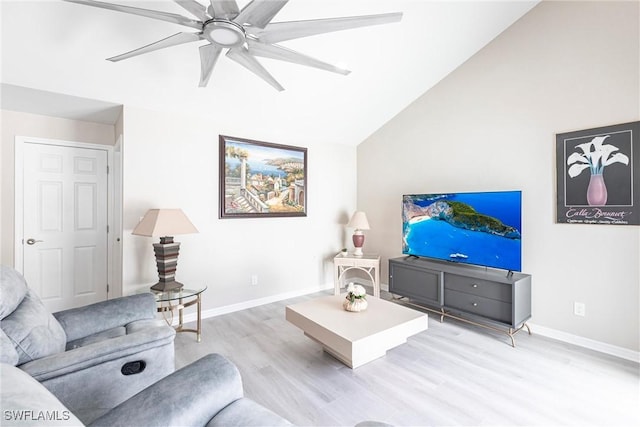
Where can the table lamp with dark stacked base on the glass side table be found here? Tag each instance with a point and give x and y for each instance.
(165, 223)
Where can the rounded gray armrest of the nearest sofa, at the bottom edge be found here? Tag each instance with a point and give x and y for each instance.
(210, 384)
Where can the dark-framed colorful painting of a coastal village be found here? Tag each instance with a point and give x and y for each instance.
(261, 179)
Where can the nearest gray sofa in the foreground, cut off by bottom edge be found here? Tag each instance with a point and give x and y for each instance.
(207, 392)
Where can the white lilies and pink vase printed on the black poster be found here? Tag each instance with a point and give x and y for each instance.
(595, 156)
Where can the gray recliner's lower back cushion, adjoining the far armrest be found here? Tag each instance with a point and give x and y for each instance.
(34, 331)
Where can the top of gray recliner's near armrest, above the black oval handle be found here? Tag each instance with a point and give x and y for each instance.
(94, 354)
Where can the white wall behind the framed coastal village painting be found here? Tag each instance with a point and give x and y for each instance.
(171, 161)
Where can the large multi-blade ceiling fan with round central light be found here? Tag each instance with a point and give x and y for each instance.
(246, 34)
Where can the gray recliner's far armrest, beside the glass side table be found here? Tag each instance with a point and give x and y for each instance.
(93, 318)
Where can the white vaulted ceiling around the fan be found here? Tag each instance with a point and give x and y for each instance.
(54, 47)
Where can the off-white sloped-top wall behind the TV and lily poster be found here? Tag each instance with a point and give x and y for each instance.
(491, 125)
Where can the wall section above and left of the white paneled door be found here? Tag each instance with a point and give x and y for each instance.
(34, 125)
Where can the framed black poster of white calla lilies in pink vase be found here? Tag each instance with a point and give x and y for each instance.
(598, 180)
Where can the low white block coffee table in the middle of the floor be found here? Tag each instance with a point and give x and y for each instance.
(356, 338)
